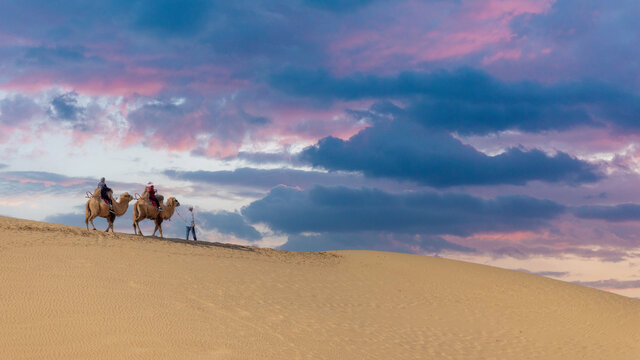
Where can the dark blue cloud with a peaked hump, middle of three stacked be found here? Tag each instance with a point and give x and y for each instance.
(407, 151)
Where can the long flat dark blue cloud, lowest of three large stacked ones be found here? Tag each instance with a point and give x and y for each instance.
(341, 209)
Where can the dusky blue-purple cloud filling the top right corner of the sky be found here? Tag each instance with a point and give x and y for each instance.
(586, 38)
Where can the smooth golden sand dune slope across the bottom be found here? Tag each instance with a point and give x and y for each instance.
(67, 293)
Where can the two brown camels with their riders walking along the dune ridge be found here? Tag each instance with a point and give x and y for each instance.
(148, 206)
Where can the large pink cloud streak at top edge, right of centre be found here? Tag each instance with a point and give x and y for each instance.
(409, 39)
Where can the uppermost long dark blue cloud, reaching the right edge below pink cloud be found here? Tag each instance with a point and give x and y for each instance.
(470, 101)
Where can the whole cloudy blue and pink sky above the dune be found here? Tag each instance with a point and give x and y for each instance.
(493, 131)
